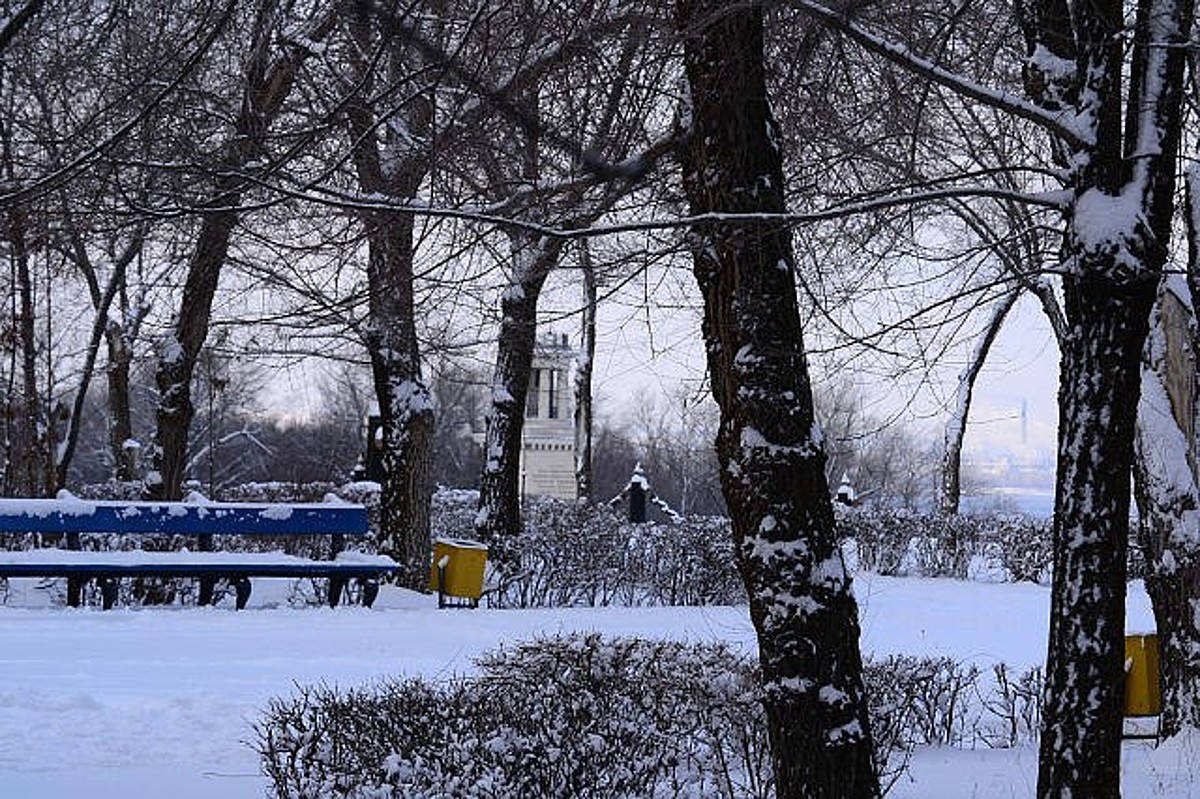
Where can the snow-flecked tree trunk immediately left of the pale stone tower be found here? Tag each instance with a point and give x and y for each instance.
(500, 485)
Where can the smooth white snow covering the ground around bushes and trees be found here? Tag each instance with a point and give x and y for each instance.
(152, 704)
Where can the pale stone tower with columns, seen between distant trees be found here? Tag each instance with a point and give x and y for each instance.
(548, 442)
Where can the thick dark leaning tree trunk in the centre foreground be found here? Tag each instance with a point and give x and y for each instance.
(770, 447)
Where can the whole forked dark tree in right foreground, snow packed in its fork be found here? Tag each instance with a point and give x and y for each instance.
(1121, 172)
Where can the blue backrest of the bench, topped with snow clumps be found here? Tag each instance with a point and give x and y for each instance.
(182, 519)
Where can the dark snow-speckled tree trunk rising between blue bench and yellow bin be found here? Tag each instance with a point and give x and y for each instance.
(393, 166)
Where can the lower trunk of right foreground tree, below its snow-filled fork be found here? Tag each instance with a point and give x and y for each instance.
(1097, 411)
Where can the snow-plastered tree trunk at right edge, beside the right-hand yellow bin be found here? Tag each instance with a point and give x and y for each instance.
(1169, 504)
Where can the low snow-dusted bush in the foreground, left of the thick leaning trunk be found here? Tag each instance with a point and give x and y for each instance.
(578, 716)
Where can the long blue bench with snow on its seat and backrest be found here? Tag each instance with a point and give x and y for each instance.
(70, 519)
